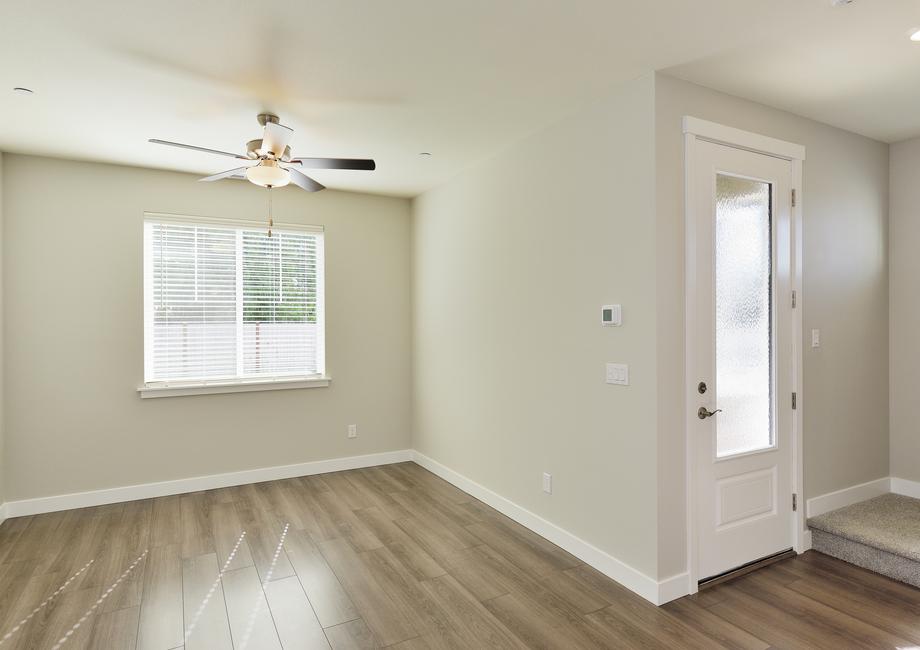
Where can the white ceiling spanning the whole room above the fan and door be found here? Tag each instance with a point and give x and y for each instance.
(390, 78)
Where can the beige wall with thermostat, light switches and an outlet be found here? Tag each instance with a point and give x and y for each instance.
(512, 261)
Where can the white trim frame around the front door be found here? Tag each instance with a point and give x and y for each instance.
(695, 130)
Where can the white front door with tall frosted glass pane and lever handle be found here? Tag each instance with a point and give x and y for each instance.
(743, 413)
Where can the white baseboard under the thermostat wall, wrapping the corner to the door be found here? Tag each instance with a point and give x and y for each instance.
(655, 592)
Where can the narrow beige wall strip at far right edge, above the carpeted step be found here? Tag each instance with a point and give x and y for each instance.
(904, 241)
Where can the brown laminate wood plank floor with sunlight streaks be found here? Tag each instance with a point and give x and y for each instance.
(388, 557)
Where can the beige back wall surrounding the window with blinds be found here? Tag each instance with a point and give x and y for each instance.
(74, 333)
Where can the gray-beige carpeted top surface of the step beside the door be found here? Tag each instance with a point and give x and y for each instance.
(890, 523)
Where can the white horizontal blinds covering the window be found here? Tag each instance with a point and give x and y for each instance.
(228, 303)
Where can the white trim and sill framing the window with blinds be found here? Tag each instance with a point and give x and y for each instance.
(246, 385)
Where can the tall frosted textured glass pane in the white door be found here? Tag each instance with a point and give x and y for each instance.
(744, 375)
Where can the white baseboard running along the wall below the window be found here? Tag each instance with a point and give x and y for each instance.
(181, 486)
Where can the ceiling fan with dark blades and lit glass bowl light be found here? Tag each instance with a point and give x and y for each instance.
(273, 165)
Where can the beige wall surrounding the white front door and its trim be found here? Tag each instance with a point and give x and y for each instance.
(845, 295)
